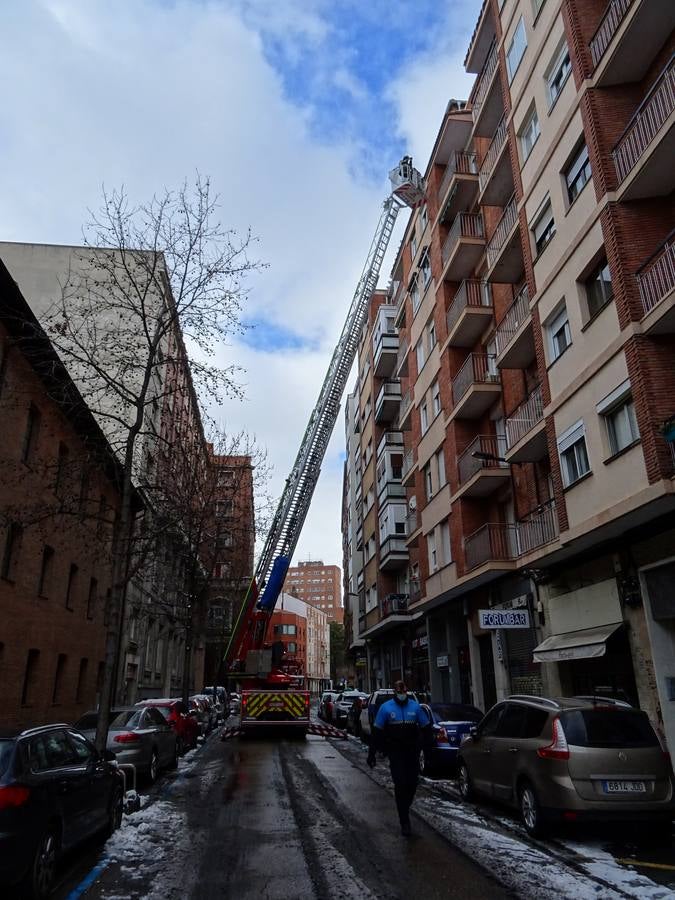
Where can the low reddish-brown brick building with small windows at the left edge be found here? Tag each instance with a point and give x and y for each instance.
(58, 495)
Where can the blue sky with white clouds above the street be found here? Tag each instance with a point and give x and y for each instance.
(295, 109)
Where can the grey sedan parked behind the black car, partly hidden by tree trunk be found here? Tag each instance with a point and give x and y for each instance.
(137, 735)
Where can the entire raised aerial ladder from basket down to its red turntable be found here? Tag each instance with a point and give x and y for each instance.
(244, 650)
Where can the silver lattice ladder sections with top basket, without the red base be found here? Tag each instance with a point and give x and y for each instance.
(282, 539)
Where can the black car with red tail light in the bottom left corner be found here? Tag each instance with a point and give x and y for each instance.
(55, 791)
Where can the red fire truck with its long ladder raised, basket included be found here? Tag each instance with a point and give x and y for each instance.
(273, 687)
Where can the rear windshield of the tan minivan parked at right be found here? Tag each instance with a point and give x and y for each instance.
(608, 728)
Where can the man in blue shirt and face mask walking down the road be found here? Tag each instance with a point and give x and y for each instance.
(400, 730)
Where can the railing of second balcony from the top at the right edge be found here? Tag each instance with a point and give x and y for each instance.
(646, 122)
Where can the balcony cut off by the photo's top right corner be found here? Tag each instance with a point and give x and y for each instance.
(628, 37)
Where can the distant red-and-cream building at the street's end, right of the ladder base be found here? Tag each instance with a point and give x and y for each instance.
(303, 629)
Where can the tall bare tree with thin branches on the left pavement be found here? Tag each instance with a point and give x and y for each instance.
(156, 289)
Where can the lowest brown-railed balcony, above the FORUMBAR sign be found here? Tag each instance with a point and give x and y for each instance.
(504, 542)
